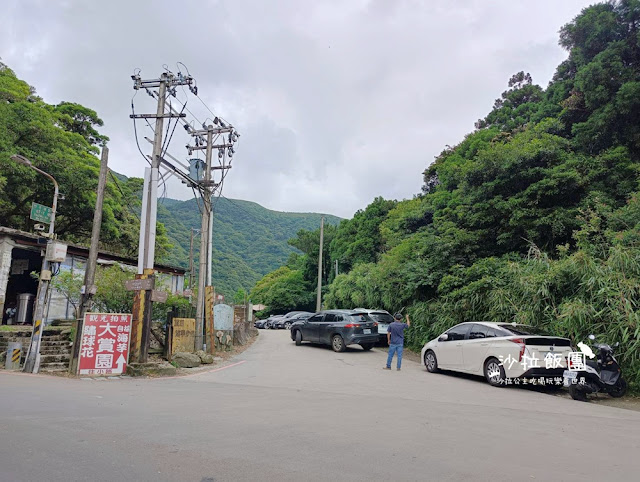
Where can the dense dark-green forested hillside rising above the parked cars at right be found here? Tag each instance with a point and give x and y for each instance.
(534, 217)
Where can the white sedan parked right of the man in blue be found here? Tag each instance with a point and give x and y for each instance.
(497, 351)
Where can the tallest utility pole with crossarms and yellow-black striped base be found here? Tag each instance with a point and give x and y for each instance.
(141, 328)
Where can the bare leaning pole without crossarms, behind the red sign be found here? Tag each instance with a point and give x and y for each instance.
(89, 288)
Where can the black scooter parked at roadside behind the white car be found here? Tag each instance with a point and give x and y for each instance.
(600, 375)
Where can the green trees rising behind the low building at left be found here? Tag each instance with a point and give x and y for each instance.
(61, 140)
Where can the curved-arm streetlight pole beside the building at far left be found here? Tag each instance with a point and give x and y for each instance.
(32, 361)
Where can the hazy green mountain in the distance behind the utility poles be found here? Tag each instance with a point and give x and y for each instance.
(249, 240)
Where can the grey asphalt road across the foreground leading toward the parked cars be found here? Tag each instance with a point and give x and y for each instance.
(281, 412)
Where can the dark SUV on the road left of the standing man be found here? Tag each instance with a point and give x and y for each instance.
(337, 328)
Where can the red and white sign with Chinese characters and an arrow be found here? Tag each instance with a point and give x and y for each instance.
(104, 348)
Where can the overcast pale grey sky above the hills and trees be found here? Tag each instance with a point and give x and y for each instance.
(337, 102)
